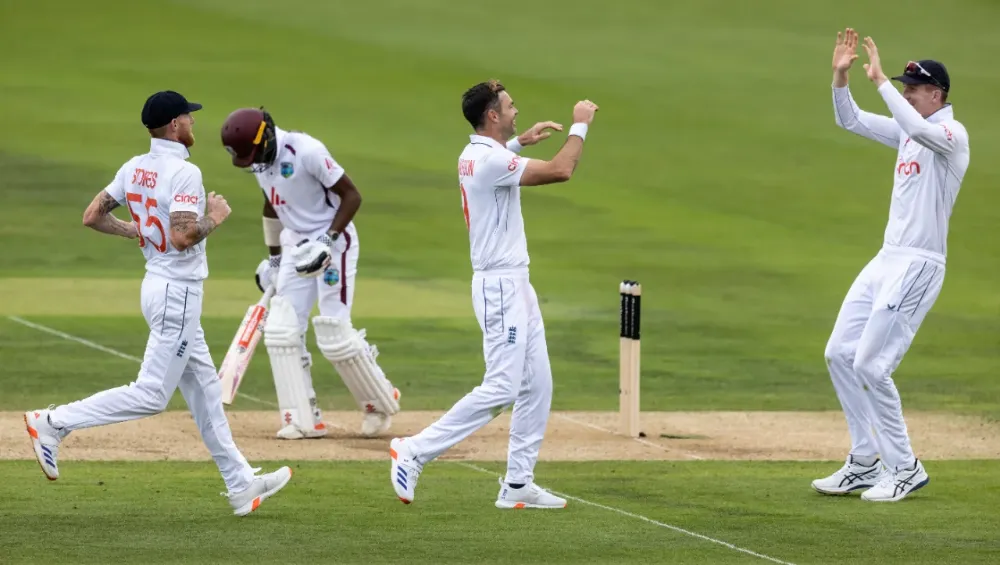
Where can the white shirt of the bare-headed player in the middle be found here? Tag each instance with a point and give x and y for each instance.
(489, 175)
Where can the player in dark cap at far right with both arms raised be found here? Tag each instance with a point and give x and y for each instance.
(893, 293)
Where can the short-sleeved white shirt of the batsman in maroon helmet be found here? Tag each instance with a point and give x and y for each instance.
(297, 183)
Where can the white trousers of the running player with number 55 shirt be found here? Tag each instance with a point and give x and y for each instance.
(176, 356)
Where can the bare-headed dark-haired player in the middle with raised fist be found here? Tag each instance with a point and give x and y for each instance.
(490, 175)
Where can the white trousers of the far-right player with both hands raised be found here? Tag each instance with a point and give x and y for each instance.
(876, 325)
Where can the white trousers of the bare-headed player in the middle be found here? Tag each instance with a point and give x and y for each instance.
(517, 372)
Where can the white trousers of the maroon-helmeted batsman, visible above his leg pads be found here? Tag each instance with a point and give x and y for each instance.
(334, 290)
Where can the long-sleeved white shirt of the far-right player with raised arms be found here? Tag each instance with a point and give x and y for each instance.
(931, 161)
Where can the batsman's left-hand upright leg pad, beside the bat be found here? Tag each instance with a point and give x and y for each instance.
(284, 348)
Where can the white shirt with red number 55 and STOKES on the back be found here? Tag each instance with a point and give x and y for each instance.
(152, 186)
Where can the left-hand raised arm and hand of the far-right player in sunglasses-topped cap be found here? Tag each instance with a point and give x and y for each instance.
(847, 114)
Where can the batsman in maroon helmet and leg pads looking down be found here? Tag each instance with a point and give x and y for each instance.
(309, 207)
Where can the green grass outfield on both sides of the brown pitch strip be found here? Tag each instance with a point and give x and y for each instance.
(714, 174)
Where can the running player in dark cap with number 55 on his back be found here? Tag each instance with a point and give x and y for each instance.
(171, 216)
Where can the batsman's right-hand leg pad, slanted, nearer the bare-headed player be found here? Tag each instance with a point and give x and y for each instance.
(354, 360)
